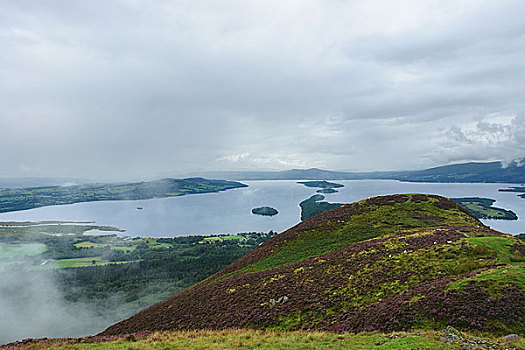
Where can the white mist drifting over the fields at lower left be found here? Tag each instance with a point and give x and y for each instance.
(32, 305)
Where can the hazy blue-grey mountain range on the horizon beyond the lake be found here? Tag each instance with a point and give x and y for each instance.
(465, 172)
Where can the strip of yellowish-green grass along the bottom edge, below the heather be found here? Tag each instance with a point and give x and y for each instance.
(249, 339)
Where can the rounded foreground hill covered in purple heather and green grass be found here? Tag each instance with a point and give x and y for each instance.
(386, 263)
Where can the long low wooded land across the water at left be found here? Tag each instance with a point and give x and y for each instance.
(14, 199)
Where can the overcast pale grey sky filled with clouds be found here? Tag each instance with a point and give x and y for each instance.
(144, 89)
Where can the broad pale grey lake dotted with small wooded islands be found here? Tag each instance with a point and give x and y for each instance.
(230, 211)
